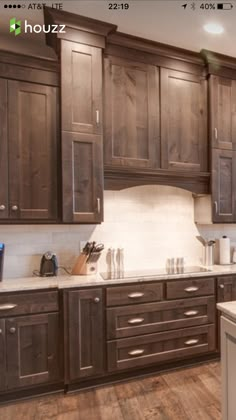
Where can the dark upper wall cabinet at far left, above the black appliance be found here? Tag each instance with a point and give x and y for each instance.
(28, 140)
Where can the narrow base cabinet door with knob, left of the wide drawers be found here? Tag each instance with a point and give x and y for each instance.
(84, 334)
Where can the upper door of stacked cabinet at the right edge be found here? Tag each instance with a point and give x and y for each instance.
(223, 112)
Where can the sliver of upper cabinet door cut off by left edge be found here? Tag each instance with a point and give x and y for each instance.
(3, 150)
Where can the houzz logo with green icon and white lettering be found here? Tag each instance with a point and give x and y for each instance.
(17, 28)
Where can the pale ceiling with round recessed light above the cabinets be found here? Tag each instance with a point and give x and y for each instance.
(163, 21)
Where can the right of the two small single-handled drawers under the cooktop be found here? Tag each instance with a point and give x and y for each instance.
(189, 288)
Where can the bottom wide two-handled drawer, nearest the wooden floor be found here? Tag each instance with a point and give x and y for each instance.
(153, 348)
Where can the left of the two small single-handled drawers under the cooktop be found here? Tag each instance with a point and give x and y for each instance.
(136, 293)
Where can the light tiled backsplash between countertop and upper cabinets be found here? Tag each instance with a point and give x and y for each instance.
(151, 223)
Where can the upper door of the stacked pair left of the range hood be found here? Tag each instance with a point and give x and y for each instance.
(81, 88)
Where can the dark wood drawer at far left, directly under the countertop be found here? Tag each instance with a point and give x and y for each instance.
(28, 303)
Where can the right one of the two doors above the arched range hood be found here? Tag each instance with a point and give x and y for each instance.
(183, 121)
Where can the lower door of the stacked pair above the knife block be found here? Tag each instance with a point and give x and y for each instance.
(82, 178)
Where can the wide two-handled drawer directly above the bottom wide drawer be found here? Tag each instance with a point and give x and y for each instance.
(127, 321)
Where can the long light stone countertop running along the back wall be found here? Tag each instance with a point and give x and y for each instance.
(63, 282)
